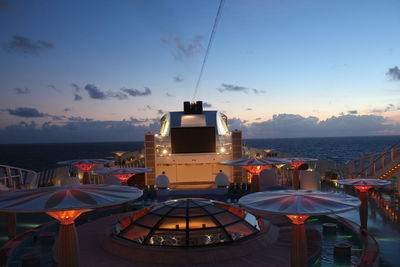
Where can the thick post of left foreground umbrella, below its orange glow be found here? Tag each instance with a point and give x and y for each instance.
(67, 246)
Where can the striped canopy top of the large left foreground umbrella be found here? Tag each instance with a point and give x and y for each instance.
(77, 197)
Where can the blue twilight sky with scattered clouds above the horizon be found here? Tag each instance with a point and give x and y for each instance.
(97, 70)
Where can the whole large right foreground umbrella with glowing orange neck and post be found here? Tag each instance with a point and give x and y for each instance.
(298, 205)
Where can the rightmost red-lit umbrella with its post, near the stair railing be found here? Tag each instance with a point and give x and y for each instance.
(363, 185)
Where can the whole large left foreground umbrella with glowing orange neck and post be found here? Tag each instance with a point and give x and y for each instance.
(66, 203)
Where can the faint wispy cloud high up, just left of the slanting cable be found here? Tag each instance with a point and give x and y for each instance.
(186, 50)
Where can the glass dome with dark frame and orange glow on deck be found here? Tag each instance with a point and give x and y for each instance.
(188, 223)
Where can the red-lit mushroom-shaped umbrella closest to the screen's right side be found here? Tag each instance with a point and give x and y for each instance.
(255, 166)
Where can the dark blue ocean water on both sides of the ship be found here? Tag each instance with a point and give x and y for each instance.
(40, 157)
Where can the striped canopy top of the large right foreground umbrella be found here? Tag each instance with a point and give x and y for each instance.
(298, 202)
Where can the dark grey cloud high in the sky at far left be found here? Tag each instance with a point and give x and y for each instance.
(25, 45)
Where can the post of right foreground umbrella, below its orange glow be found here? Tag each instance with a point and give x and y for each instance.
(298, 250)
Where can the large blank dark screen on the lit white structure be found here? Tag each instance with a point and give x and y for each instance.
(193, 140)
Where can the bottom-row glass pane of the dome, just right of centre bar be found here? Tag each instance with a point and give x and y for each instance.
(207, 237)
